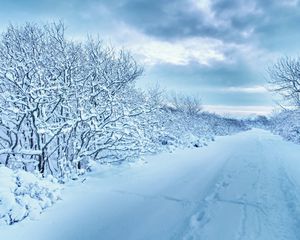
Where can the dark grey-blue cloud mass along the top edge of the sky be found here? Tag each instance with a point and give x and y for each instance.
(230, 20)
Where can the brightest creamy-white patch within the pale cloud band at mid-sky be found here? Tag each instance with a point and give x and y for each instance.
(152, 51)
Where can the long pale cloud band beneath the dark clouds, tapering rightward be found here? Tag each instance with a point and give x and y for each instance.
(206, 51)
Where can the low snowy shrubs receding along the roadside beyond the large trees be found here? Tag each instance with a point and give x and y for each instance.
(179, 128)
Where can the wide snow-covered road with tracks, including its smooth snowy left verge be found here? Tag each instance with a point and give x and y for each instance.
(245, 186)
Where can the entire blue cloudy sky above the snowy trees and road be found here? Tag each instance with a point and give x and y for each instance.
(219, 49)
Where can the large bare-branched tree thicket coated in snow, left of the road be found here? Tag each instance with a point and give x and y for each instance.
(63, 103)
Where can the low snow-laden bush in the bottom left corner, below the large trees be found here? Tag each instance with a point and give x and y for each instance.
(23, 194)
